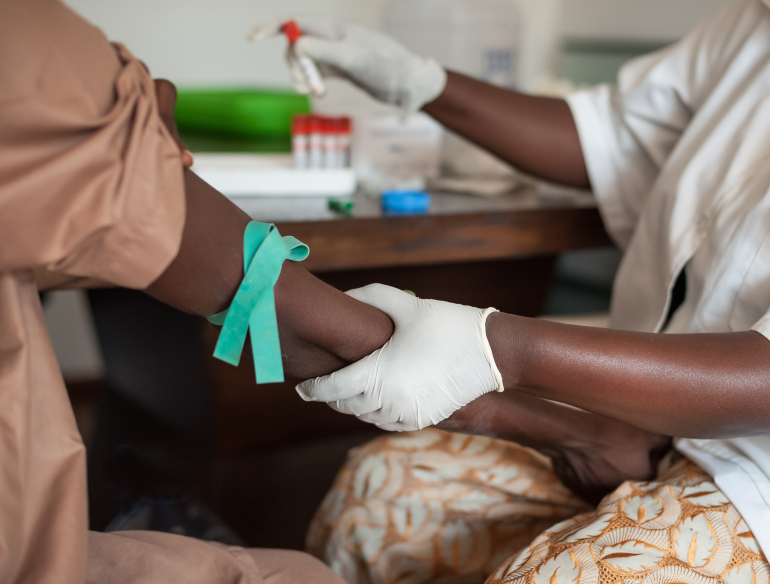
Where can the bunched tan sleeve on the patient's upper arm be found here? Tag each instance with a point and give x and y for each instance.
(91, 182)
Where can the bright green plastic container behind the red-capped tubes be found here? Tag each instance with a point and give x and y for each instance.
(233, 120)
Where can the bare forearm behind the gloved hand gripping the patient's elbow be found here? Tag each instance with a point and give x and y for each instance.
(698, 386)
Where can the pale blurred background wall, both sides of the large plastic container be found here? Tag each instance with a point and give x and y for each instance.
(195, 42)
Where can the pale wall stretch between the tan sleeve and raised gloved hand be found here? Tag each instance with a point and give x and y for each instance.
(204, 41)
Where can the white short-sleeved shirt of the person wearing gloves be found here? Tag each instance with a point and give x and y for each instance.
(677, 158)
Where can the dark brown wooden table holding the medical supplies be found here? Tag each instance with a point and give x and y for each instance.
(458, 228)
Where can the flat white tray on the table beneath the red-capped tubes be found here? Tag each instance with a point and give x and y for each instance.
(255, 175)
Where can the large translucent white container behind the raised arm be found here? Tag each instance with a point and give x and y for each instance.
(510, 43)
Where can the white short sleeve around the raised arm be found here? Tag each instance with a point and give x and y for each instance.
(627, 131)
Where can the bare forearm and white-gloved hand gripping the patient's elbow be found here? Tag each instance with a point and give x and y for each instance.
(697, 386)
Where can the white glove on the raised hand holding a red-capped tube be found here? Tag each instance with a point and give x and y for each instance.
(371, 60)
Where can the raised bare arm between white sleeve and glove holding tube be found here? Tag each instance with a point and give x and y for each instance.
(535, 134)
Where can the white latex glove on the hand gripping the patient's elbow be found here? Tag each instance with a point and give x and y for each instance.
(437, 361)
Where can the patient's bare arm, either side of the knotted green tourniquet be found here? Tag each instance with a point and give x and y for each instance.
(321, 328)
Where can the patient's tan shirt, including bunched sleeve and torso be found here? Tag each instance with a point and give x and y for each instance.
(90, 184)
